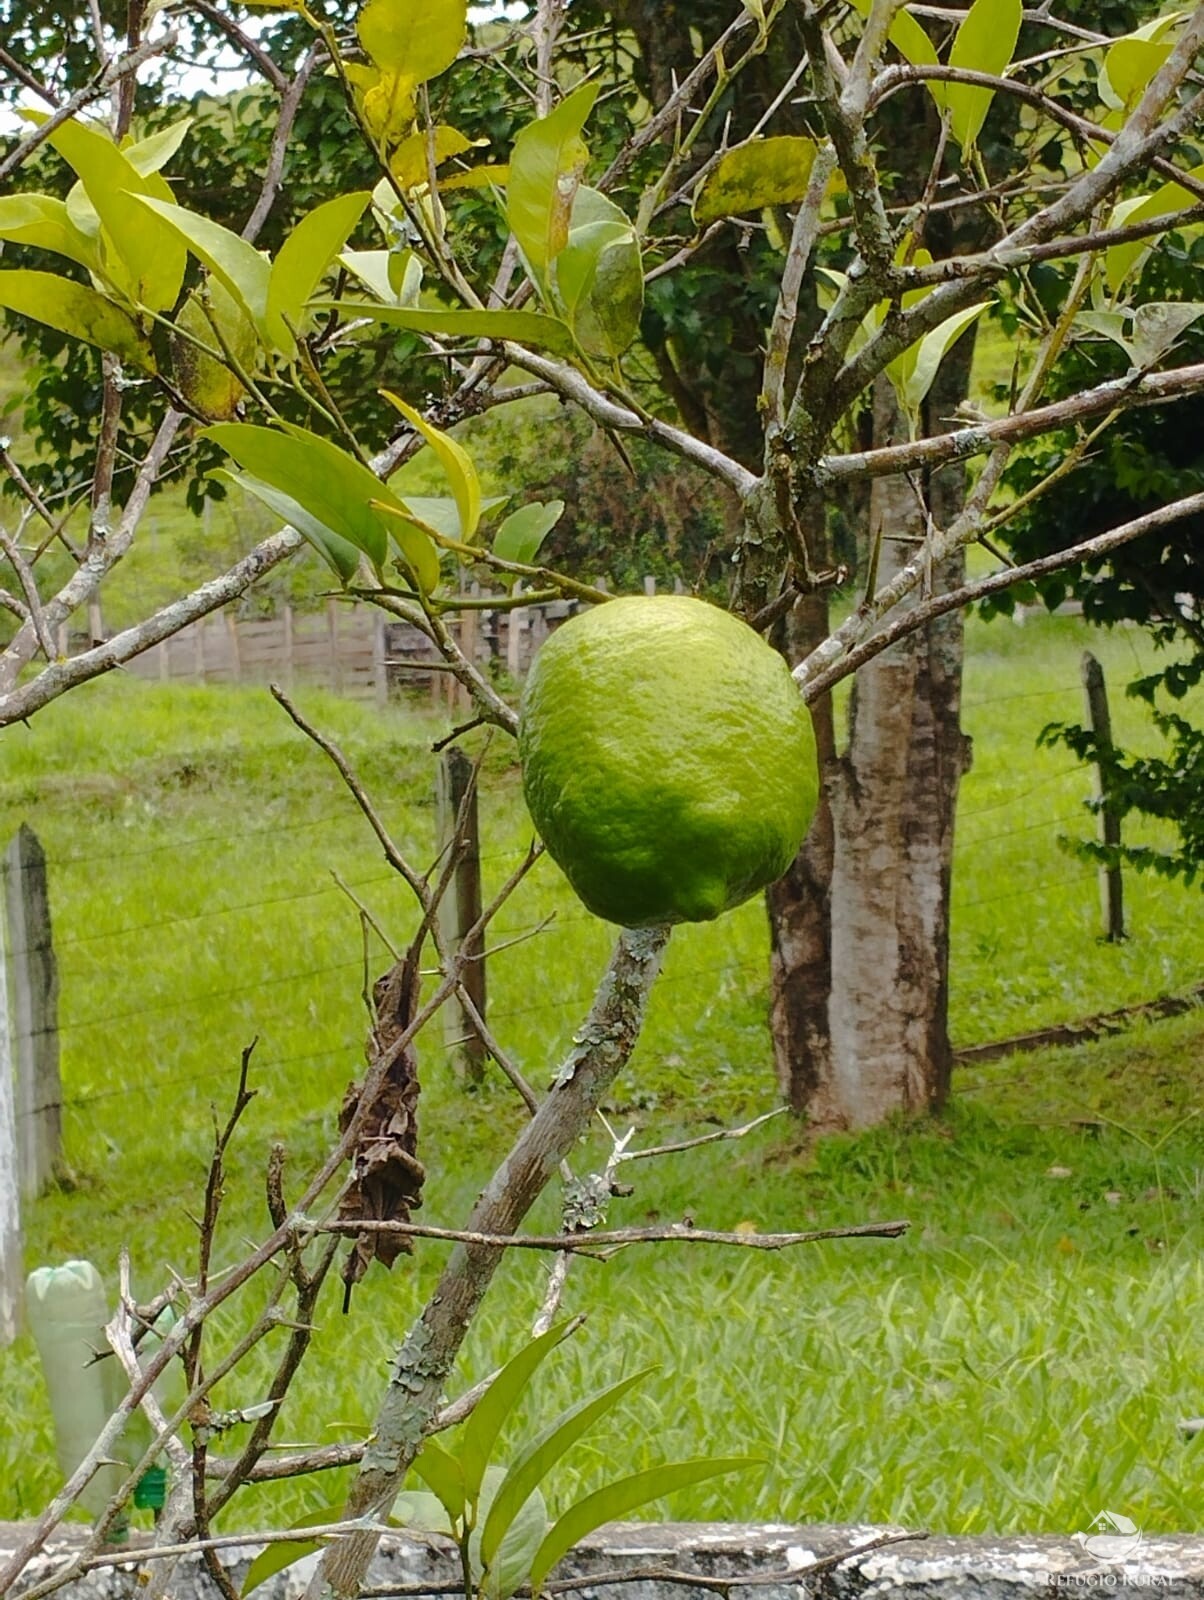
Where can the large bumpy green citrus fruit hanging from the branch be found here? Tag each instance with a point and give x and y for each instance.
(667, 759)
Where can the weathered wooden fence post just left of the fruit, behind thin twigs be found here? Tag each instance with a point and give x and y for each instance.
(460, 910)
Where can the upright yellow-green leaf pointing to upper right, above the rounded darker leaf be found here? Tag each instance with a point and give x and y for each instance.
(547, 167)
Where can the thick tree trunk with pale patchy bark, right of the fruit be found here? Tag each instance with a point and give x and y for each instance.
(862, 922)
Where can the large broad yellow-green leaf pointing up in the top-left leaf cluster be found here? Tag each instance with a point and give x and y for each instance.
(143, 258)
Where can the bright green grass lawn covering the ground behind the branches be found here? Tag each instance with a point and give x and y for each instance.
(1019, 1361)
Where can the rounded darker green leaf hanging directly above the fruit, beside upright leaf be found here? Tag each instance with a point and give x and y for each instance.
(600, 276)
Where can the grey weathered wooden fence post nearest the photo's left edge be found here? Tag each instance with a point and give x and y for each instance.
(34, 986)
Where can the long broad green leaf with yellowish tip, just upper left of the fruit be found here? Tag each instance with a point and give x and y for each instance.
(332, 486)
